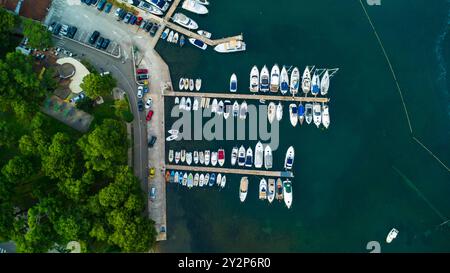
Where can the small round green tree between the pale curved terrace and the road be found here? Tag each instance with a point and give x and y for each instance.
(95, 85)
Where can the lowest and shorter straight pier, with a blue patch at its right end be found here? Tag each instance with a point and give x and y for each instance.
(283, 174)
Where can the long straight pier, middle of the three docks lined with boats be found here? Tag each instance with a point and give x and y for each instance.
(255, 96)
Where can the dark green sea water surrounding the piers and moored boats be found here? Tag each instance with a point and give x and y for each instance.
(364, 175)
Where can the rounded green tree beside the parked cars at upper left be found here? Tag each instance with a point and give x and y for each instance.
(37, 34)
